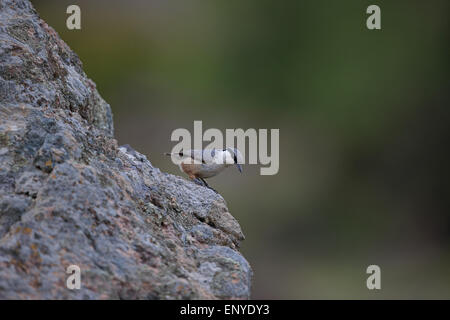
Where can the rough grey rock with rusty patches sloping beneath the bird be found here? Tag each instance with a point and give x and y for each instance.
(69, 195)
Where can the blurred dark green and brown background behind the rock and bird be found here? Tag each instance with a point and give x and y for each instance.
(363, 118)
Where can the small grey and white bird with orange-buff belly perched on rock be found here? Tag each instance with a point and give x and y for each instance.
(207, 163)
